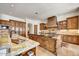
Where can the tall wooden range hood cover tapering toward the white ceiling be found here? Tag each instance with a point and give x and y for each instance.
(52, 22)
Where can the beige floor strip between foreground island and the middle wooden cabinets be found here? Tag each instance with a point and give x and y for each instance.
(43, 52)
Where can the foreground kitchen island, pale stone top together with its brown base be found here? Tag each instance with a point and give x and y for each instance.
(26, 48)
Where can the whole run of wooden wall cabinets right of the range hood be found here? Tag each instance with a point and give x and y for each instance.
(69, 23)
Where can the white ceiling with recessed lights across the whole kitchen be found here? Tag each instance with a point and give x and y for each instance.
(36, 10)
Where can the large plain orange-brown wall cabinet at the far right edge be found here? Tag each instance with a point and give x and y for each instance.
(72, 22)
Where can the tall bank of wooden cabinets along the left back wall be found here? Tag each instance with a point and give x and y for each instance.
(19, 27)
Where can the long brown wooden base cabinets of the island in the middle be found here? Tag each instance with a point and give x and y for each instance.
(45, 42)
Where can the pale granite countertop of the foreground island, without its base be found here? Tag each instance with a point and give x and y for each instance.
(25, 46)
